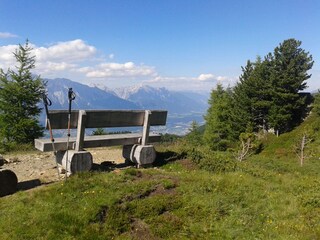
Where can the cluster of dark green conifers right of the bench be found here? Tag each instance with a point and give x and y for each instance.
(267, 96)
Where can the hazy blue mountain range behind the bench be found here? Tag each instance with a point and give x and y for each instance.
(182, 107)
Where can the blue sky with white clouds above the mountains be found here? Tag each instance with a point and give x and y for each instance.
(178, 44)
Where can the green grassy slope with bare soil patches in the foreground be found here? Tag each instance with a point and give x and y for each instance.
(269, 197)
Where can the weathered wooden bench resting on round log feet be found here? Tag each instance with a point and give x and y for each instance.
(136, 146)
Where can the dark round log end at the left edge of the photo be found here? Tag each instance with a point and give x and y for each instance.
(8, 182)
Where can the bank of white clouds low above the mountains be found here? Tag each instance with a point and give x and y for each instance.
(81, 62)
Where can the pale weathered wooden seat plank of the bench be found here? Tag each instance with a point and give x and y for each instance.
(60, 144)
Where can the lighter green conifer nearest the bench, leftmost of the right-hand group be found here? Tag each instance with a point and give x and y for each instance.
(218, 131)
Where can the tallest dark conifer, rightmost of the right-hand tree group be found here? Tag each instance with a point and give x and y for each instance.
(289, 74)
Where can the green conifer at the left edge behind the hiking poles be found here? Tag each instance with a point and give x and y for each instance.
(19, 97)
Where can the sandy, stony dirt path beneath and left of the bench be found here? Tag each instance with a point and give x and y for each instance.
(41, 166)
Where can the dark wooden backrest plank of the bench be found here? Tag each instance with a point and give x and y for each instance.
(107, 118)
